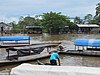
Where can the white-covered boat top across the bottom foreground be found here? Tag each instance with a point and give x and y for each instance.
(30, 69)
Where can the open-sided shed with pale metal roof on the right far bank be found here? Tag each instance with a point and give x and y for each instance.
(87, 27)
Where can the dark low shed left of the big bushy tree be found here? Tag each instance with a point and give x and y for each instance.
(33, 29)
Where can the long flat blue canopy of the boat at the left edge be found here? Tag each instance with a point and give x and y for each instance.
(14, 38)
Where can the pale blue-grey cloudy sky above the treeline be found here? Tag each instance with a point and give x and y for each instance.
(11, 10)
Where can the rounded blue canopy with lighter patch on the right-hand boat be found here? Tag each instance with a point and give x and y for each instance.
(87, 42)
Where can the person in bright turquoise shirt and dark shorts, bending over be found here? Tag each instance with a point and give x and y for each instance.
(54, 57)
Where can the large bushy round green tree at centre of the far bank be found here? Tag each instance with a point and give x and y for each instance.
(53, 22)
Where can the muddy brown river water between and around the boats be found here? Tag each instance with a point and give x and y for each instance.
(67, 41)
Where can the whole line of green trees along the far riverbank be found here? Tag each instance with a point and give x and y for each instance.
(53, 22)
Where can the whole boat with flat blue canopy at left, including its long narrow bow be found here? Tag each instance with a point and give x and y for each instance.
(19, 41)
